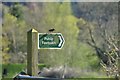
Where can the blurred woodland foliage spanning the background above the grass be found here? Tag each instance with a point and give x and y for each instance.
(73, 20)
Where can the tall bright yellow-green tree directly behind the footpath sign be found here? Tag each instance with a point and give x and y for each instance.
(62, 21)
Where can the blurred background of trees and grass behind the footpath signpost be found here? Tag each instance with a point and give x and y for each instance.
(90, 31)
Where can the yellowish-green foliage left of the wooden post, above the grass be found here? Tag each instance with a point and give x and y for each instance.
(12, 27)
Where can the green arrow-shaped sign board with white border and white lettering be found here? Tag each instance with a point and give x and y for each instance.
(50, 41)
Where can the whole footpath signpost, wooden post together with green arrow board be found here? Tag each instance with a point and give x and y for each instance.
(37, 41)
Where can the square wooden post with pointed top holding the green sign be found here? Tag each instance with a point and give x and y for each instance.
(32, 52)
